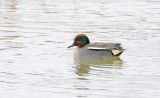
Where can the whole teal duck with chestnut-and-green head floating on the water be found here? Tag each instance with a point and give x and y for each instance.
(95, 50)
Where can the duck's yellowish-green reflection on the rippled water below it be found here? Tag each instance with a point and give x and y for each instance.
(83, 65)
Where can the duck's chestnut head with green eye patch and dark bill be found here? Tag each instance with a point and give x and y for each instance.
(80, 40)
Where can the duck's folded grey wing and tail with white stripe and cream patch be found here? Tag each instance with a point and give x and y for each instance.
(115, 48)
